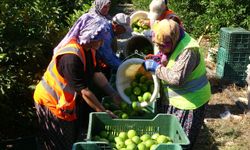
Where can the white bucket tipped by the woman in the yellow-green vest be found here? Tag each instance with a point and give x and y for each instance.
(126, 73)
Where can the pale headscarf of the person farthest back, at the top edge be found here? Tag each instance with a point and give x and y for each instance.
(97, 7)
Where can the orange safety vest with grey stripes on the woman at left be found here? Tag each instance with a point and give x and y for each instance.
(53, 91)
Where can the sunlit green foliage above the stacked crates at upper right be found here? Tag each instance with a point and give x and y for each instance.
(207, 17)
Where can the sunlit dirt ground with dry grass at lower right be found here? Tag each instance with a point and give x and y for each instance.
(222, 131)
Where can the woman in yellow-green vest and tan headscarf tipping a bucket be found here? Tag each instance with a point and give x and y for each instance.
(185, 87)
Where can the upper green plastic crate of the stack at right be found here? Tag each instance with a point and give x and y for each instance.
(234, 39)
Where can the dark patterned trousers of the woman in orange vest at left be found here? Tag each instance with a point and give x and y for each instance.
(58, 134)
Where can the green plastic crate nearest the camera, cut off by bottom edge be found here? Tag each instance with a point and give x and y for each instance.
(105, 146)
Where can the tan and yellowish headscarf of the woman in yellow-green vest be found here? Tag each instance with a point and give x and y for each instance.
(167, 28)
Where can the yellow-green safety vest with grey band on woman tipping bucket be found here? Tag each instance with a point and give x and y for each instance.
(196, 90)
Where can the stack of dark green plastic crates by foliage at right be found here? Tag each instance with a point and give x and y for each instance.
(233, 55)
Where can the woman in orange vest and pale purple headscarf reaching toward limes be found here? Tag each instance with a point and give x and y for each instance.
(63, 98)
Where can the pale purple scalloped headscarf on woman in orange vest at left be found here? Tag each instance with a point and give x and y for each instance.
(87, 27)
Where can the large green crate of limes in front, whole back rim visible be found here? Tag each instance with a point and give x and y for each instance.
(162, 123)
